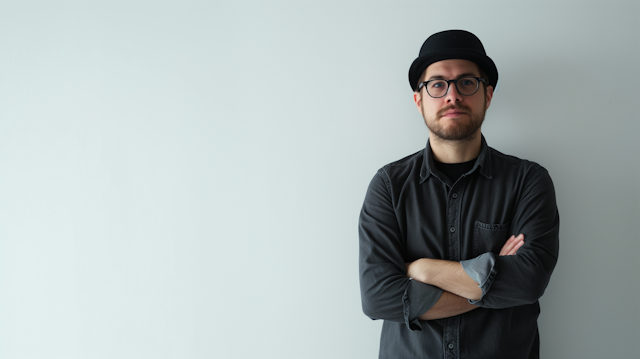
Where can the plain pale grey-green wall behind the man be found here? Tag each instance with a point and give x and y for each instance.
(182, 179)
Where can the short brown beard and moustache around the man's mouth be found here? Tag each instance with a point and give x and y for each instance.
(459, 130)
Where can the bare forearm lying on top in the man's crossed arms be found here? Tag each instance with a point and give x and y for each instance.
(447, 275)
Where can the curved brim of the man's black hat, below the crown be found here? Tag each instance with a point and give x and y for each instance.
(421, 63)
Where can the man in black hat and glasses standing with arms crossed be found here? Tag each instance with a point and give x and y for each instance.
(457, 241)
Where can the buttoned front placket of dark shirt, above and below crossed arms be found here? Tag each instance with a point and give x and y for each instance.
(451, 335)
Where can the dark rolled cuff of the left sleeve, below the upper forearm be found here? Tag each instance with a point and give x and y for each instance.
(417, 300)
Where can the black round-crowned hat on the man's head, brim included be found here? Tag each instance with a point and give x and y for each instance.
(452, 44)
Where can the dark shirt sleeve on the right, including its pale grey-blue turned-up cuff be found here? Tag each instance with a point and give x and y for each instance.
(522, 278)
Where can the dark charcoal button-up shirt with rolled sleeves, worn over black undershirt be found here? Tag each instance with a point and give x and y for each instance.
(413, 211)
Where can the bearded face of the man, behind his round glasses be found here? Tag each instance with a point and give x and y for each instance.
(453, 117)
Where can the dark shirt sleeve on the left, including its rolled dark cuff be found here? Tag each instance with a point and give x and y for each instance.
(386, 291)
